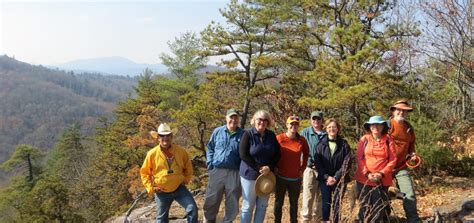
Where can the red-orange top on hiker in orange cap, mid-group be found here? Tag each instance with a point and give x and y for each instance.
(291, 164)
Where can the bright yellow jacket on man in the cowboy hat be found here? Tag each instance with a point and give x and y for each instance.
(155, 170)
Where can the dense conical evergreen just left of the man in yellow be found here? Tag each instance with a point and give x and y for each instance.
(122, 146)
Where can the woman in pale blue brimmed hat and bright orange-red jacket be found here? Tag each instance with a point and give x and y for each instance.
(375, 162)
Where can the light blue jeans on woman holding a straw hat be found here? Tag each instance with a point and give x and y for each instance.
(251, 201)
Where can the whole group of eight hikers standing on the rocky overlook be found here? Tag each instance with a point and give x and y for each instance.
(255, 162)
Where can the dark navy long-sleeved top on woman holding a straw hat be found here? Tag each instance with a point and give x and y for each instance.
(256, 153)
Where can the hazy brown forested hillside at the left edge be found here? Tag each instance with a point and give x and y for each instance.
(37, 103)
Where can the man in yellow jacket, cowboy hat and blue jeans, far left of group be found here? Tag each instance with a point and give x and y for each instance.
(165, 171)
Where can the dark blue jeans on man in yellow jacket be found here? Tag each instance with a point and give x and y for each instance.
(183, 197)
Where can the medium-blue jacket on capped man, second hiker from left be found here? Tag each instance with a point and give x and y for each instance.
(223, 149)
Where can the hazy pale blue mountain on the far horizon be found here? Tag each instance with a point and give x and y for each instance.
(110, 65)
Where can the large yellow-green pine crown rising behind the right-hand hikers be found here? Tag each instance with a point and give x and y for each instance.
(348, 42)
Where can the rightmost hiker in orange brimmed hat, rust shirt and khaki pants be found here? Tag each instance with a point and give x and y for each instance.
(403, 136)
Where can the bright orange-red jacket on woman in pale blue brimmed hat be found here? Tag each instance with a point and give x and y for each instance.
(375, 157)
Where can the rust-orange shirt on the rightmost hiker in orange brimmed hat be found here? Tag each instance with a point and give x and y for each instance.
(403, 137)
